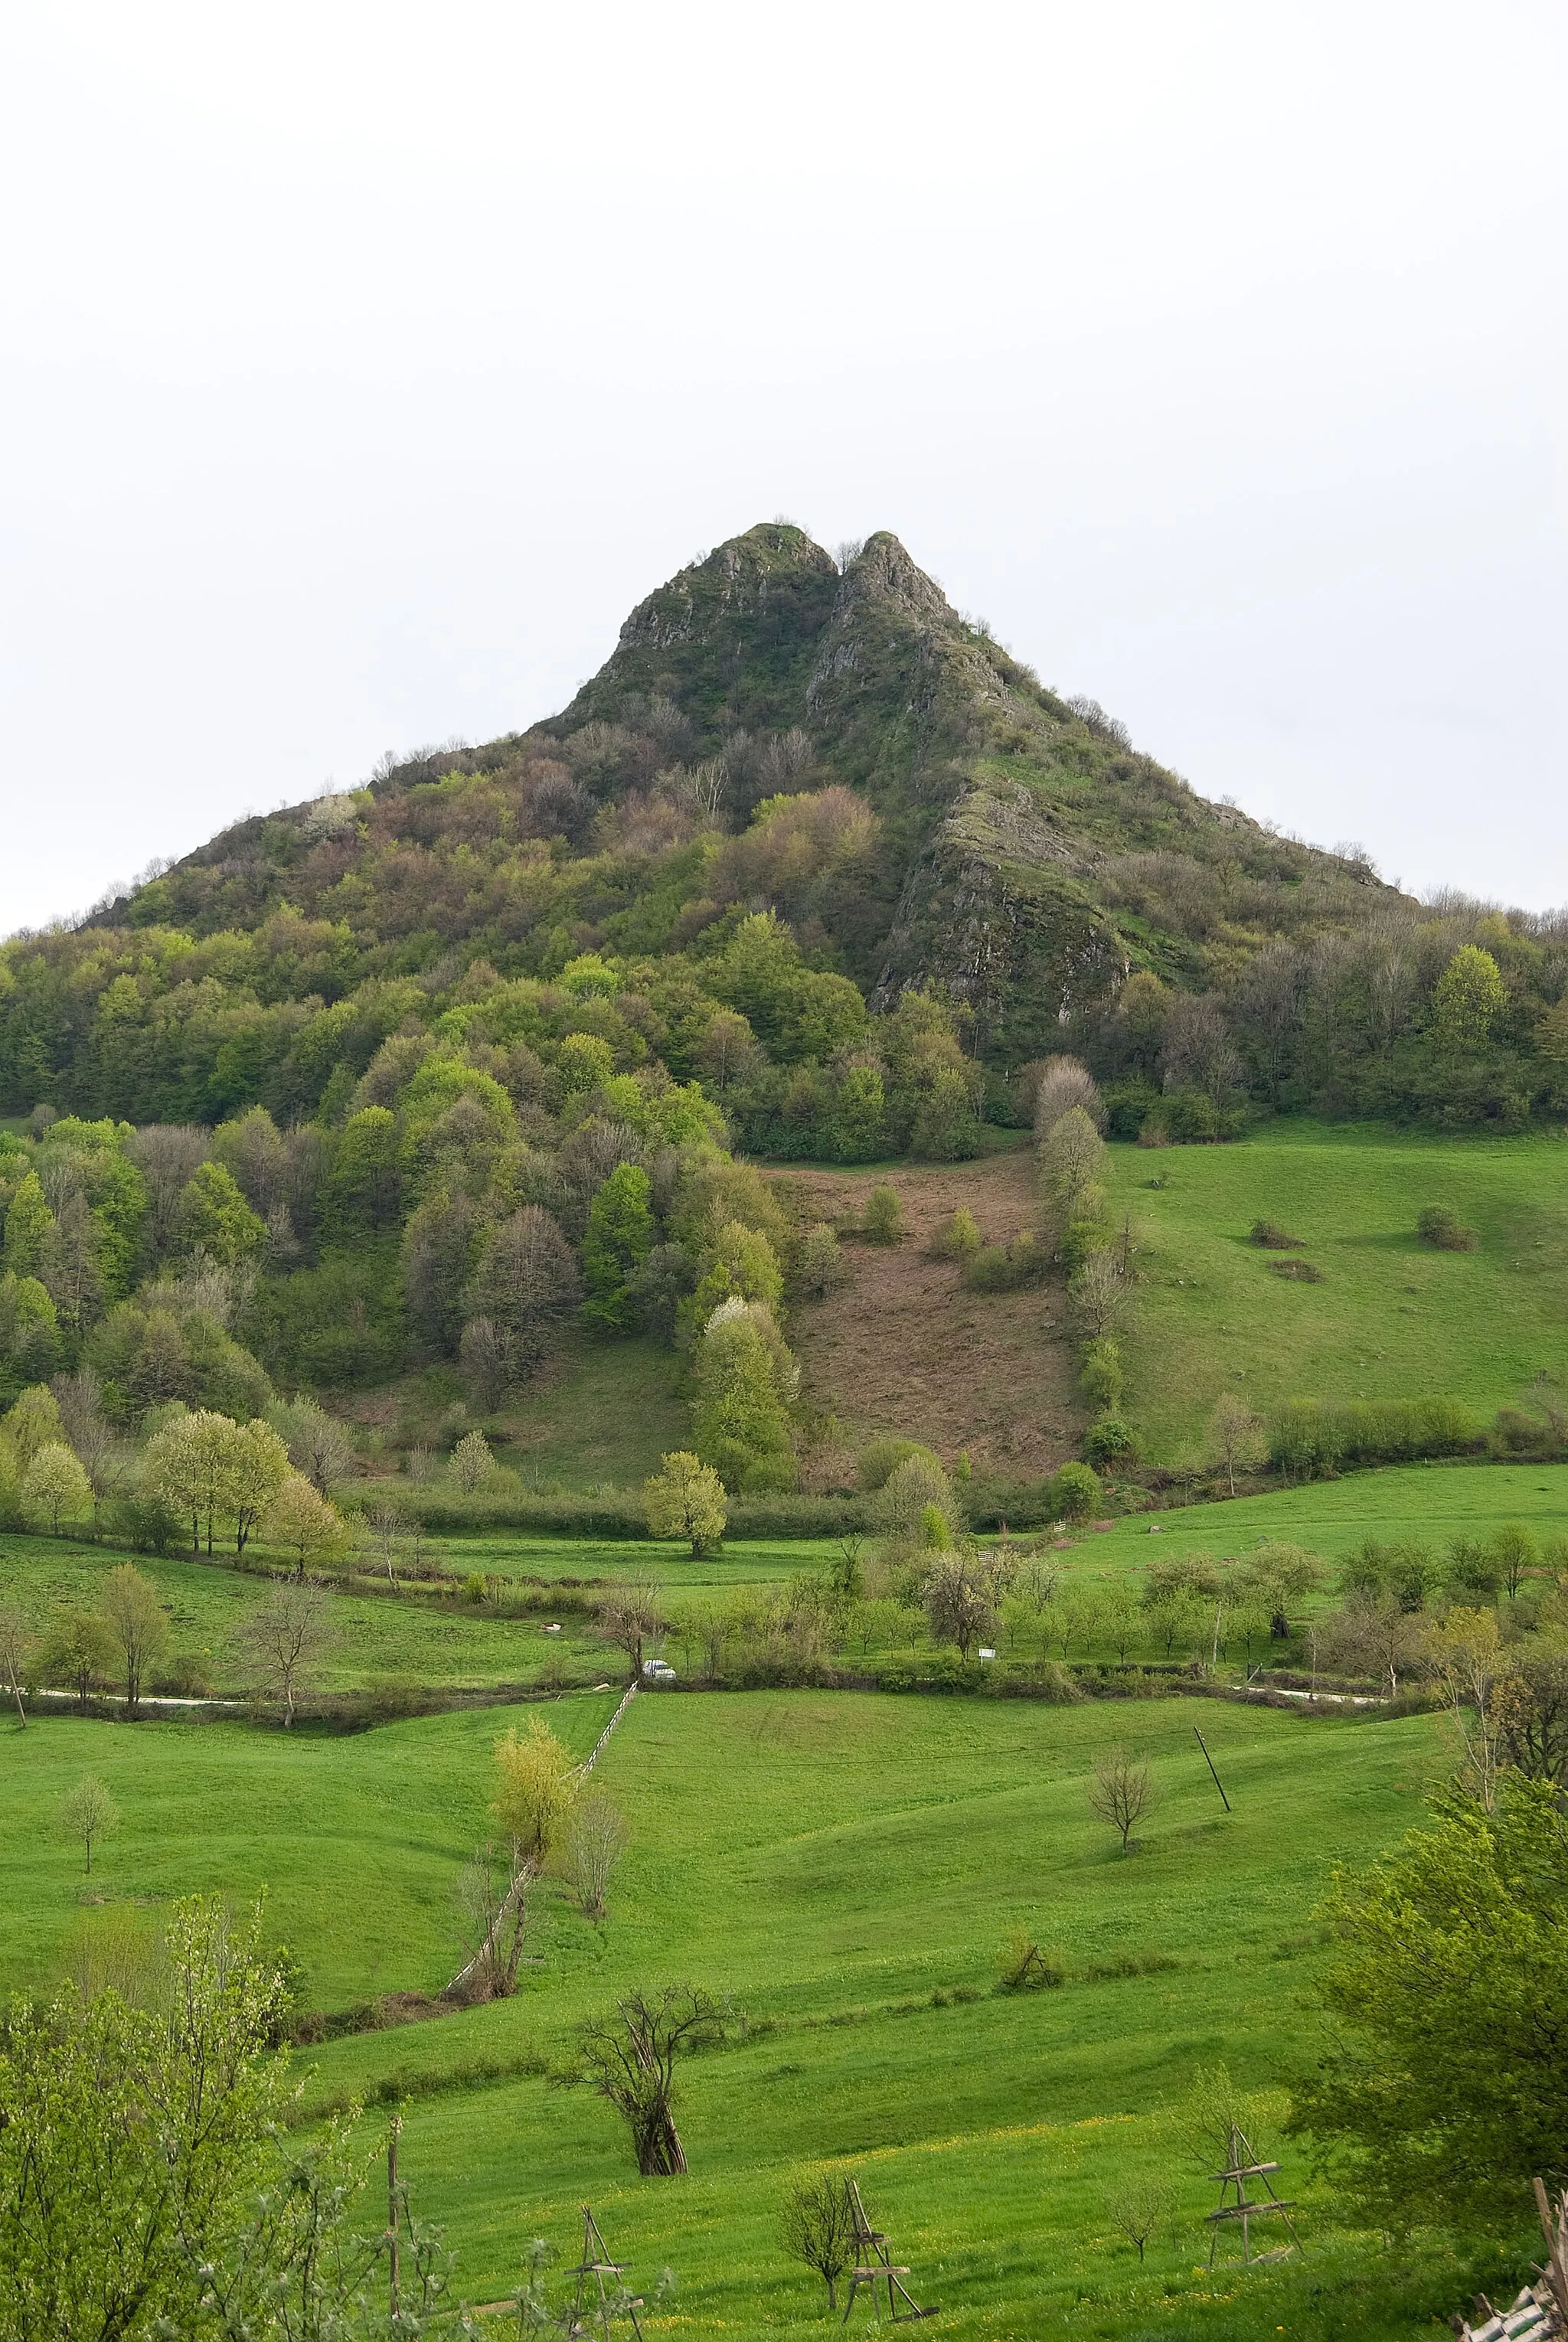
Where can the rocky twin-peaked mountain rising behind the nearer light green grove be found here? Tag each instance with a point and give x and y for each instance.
(836, 753)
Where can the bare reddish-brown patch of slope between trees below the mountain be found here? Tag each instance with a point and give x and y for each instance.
(904, 1345)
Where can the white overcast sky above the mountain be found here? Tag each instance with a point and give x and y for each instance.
(364, 364)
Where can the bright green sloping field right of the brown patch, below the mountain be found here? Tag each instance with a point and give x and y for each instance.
(1391, 1317)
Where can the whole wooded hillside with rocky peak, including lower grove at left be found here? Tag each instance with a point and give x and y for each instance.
(814, 870)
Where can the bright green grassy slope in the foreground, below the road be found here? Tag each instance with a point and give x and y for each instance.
(822, 1858)
